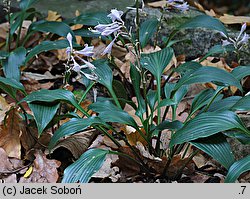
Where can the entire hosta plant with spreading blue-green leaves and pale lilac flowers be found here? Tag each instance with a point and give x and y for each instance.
(211, 119)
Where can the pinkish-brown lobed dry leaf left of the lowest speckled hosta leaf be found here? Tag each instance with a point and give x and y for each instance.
(44, 170)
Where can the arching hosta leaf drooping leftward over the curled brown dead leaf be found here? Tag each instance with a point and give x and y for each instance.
(71, 127)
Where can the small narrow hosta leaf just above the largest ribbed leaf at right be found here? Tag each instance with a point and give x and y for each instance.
(224, 104)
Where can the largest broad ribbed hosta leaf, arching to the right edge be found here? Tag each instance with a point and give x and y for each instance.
(207, 124)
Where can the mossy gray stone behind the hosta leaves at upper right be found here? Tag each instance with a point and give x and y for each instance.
(193, 42)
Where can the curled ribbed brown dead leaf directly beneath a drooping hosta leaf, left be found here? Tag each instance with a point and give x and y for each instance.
(77, 144)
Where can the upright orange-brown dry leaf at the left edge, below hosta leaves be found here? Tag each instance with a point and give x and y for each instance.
(10, 134)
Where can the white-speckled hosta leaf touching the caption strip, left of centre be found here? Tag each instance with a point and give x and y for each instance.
(82, 169)
